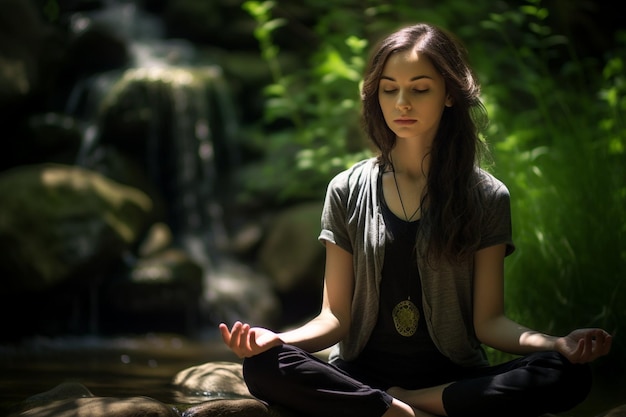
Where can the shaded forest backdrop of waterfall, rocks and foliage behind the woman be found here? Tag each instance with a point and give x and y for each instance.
(163, 165)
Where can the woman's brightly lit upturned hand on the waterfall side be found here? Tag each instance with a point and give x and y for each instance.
(248, 341)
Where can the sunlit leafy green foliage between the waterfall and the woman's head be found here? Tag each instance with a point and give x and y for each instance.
(317, 107)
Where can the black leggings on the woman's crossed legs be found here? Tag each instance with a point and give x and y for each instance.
(532, 385)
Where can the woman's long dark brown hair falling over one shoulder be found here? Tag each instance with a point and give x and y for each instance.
(452, 201)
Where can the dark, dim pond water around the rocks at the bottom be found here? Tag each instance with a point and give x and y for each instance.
(144, 365)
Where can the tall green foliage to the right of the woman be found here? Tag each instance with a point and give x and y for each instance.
(562, 155)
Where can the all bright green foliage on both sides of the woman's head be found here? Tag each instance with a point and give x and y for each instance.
(557, 133)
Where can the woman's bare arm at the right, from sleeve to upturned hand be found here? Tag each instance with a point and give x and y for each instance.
(493, 328)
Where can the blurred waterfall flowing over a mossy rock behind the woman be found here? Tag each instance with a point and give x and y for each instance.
(188, 119)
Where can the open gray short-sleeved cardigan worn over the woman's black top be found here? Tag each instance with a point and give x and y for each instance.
(353, 220)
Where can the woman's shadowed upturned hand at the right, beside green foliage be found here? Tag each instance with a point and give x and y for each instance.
(584, 345)
